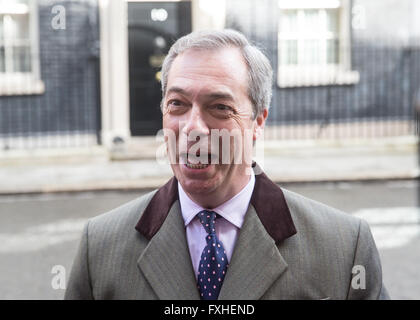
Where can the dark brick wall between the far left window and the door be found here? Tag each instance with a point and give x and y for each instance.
(69, 61)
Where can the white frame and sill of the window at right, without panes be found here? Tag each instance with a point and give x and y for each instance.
(296, 75)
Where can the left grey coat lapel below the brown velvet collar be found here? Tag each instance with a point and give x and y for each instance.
(166, 262)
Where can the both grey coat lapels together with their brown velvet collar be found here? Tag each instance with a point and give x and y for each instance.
(256, 261)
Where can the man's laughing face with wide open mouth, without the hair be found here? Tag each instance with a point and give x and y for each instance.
(208, 90)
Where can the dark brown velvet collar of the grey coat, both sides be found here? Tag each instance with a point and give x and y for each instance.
(267, 199)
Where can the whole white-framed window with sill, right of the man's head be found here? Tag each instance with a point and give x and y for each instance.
(314, 43)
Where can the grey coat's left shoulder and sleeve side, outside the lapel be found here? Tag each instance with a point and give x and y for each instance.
(109, 243)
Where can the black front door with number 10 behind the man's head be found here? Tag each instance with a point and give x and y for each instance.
(152, 29)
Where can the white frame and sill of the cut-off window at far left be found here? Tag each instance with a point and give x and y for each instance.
(26, 83)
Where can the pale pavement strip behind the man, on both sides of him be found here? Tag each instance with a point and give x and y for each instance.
(140, 165)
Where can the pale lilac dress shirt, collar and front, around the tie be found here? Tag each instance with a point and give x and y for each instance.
(227, 228)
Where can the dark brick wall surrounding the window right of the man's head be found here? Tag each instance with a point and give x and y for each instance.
(386, 53)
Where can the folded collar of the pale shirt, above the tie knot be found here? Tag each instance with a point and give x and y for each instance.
(233, 210)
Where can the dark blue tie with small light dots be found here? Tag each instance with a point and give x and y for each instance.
(213, 264)
